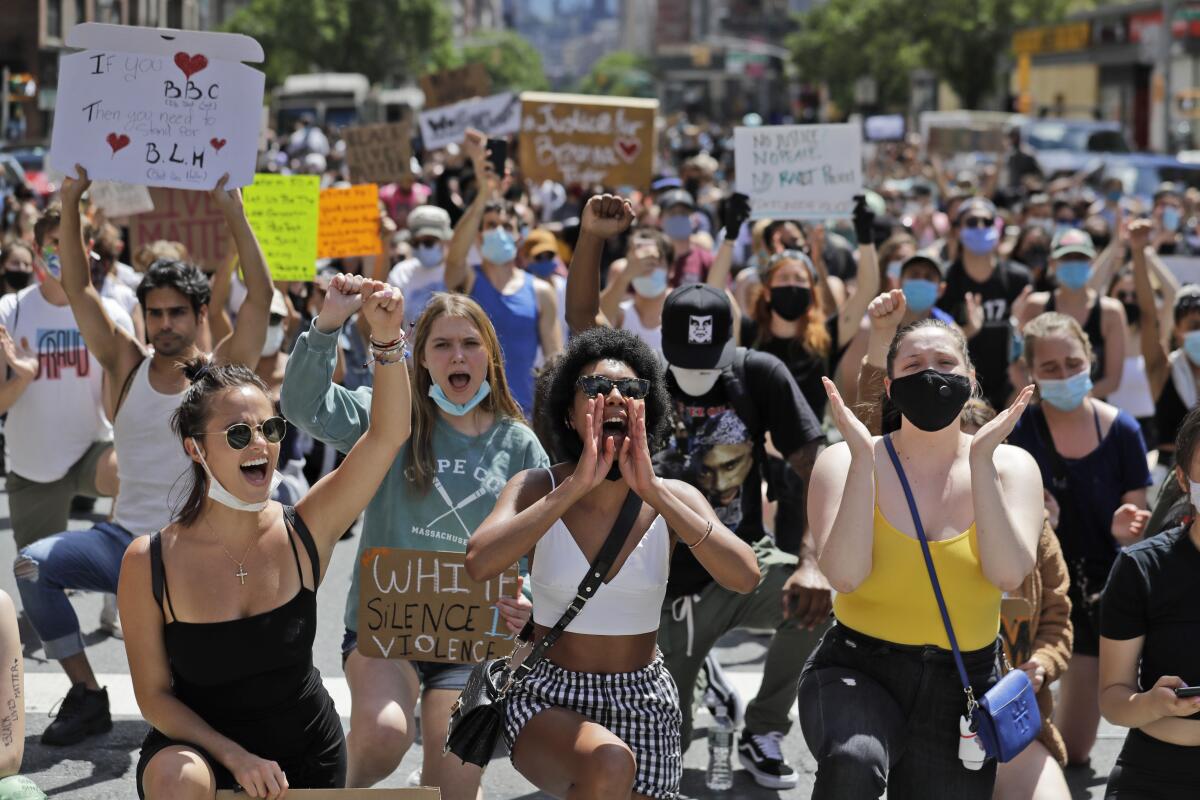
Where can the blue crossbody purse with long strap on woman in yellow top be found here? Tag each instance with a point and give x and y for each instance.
(1007, 718)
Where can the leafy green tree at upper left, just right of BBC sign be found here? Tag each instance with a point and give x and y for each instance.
(389, 41)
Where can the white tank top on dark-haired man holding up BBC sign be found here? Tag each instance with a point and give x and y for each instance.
(151, 461)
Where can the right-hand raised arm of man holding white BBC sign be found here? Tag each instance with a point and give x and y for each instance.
(245, 345)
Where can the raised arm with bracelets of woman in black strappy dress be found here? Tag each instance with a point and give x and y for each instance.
(338, 500)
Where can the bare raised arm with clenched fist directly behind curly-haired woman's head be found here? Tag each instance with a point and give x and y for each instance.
(604, 216)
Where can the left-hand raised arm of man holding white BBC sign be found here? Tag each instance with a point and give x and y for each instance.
(116, 350)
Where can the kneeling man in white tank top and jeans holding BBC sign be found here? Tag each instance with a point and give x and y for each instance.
(145, 389)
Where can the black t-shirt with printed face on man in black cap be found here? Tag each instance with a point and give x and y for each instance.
(713, 449)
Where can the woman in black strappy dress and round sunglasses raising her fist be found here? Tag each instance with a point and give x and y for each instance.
(221, 607)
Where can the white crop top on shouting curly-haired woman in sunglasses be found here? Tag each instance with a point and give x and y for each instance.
(628, 605)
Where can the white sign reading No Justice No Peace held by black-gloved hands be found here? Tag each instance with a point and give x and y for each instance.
(800, 172)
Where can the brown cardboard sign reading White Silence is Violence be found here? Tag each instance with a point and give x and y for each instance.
(421, 606)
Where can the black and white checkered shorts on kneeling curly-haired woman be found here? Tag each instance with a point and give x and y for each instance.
(641, 708)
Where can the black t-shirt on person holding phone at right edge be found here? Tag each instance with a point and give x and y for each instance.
(1153, 593)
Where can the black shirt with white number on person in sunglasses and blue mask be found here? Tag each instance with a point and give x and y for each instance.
(991, 347)
